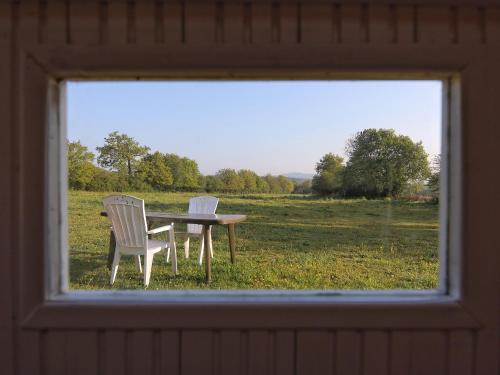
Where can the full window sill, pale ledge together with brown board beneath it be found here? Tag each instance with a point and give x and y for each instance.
(267, 310)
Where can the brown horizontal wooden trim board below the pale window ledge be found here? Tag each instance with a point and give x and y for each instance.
(368, 315)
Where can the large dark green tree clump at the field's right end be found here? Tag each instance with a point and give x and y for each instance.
(380, 163)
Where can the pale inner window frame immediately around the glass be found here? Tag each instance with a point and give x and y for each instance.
(57, 262)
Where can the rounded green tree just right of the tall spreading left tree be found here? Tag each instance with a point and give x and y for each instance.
(154, 171)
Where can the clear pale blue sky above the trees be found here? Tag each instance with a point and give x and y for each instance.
(275, 127)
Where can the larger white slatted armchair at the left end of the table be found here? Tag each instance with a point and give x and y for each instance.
(128, 220)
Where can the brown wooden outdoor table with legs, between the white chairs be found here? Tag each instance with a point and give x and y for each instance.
(206, 220)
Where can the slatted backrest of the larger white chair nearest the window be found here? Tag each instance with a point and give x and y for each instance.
(128, 218)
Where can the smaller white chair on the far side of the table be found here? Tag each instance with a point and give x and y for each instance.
(200, 205)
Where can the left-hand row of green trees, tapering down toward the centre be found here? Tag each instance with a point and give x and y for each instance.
(124, 165)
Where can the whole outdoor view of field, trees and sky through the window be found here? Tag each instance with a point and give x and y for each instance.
(336, 184)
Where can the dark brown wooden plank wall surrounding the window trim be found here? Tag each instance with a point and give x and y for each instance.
(422, 33)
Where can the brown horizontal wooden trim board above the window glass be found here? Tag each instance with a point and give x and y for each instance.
(231, 62)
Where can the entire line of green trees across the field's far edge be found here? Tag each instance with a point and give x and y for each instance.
(380, 163)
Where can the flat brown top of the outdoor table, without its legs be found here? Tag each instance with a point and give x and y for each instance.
(208, 219)
